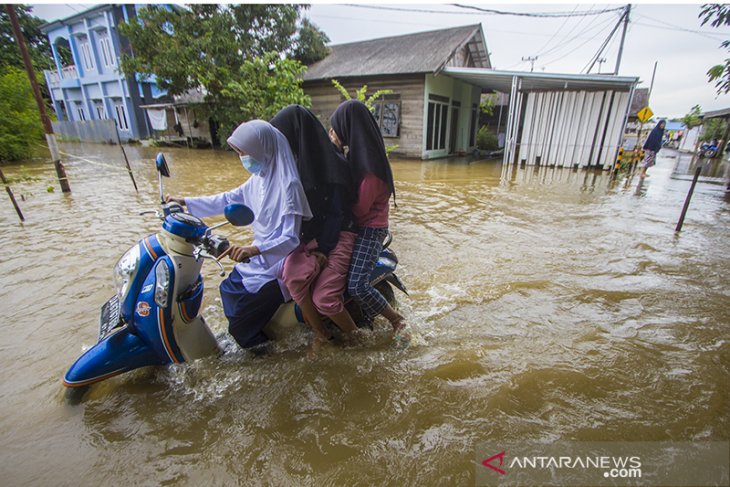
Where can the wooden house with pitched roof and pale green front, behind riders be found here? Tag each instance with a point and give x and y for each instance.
(428, 114)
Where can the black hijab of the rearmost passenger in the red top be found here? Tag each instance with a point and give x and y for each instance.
(357, 129)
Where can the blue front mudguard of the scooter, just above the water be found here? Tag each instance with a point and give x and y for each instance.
(119, 352)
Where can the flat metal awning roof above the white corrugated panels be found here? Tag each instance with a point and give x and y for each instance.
(492, 79)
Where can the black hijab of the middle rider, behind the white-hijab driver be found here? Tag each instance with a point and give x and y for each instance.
(317, 159)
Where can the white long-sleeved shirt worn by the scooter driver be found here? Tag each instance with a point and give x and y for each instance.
(274, 249)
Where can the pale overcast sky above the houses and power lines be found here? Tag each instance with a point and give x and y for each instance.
(668, 34)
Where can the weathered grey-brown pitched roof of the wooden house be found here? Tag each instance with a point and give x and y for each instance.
(423, 52)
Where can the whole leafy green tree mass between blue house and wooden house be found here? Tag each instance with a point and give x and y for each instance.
(245, 56)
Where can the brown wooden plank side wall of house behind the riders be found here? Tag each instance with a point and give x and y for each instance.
(326, 98)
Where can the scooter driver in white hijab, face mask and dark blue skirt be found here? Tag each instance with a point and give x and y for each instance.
(253, 291)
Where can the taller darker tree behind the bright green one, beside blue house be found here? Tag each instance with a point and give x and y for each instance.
(206, 44)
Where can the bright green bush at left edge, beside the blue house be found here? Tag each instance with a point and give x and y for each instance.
(20, 124)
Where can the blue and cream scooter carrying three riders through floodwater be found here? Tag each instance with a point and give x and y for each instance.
(154, 317)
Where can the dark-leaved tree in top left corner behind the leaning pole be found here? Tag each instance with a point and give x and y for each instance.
(37, 42)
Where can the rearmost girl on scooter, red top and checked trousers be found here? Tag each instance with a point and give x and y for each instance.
(354, 127)
